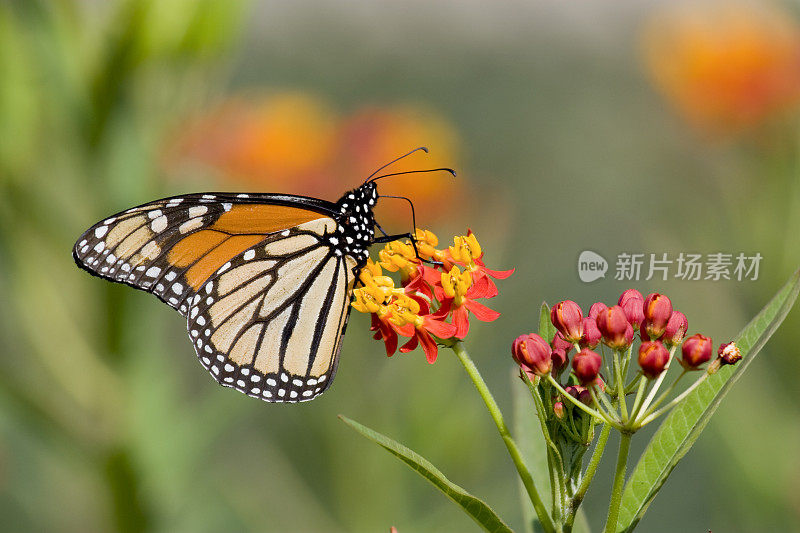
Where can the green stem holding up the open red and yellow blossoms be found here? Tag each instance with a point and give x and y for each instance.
(513, 451)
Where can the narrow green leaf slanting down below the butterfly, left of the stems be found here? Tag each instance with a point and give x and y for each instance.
(475, 508)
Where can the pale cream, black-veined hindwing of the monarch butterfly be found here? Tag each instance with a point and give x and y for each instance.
(270, 321)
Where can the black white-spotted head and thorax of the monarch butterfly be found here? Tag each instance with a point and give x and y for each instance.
(356, 221)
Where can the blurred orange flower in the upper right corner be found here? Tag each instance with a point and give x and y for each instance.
(725, 66)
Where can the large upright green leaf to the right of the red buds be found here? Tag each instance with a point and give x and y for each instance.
(684, 424)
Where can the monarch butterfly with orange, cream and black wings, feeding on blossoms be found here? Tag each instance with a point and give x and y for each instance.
(264, 280)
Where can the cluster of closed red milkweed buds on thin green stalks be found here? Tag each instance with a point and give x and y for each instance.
(603, 349)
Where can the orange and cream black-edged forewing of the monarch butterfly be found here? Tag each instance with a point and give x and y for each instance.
(171, 246)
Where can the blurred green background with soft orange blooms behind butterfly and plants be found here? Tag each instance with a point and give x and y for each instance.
(633, 126)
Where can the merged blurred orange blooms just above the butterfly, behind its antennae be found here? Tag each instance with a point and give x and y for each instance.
(295, 142)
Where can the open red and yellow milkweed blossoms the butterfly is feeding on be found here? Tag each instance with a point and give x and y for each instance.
(439, 290)
